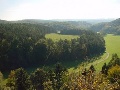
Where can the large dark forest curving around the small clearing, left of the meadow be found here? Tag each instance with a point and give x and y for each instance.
(24, 45)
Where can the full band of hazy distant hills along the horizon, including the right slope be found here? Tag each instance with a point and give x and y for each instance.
(97, 25)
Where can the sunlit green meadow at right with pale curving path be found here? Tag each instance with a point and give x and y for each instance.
(112, 46)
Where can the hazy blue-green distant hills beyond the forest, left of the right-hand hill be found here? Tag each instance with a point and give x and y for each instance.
(58, 25)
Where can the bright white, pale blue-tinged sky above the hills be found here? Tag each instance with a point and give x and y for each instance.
(59, 9)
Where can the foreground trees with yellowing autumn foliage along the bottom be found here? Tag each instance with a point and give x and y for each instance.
(58, 78)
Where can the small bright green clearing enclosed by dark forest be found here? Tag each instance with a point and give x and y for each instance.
(56, 37)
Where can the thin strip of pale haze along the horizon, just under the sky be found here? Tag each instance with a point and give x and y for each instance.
(91, 21)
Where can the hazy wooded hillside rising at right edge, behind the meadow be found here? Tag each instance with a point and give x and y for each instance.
(112, 27)
